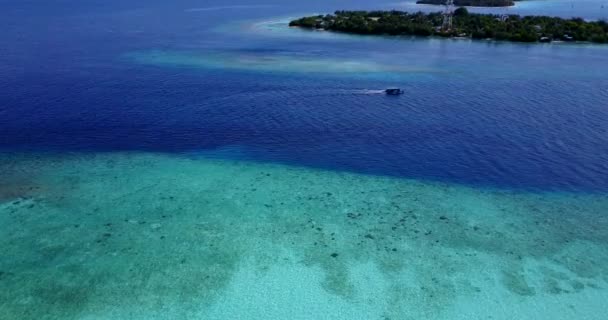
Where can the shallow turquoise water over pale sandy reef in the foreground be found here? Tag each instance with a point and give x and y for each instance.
(146, 236)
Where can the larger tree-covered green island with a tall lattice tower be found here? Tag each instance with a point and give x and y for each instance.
(464, 25)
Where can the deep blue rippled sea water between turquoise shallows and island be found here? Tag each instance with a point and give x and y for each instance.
(488, 114)
